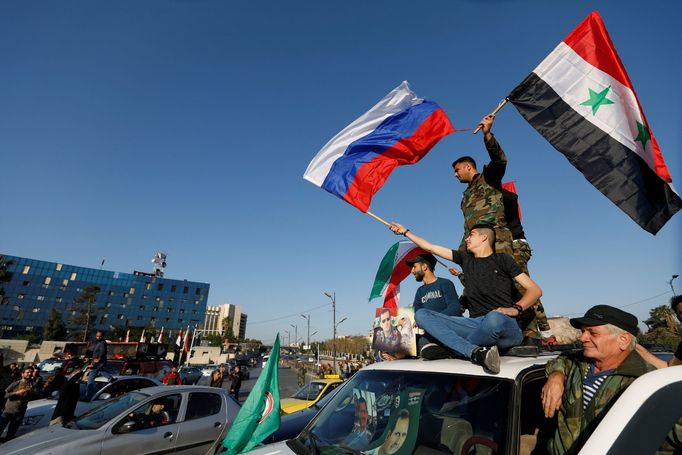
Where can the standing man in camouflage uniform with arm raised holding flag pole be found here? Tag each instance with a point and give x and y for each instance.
(484, 201)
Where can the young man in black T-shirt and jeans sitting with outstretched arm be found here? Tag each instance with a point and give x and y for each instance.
(491, 294)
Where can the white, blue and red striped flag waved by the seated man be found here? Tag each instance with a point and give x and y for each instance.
(400, 129)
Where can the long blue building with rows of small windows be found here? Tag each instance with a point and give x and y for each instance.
(125, 299)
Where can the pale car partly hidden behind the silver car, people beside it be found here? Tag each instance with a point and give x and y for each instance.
(39, 412)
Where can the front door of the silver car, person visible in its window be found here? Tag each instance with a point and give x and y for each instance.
(147, 435)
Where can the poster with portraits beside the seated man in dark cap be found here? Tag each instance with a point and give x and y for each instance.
(393, 331)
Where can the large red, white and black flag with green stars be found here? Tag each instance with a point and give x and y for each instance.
(582, 101)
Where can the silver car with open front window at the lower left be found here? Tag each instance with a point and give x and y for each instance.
(179, 419)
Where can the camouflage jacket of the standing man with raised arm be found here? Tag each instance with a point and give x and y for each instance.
(482, 200)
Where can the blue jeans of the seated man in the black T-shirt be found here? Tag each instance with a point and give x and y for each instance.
(463, 335)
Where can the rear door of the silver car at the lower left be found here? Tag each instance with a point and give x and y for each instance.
(205, 418)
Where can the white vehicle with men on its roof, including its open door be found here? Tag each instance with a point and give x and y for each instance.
(453, 406)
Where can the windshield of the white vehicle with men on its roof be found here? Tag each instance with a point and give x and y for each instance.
(400, 413)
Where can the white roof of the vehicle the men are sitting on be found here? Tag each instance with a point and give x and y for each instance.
(510, 366)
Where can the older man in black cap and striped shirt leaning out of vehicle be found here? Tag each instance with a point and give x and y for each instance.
(583, 386)
